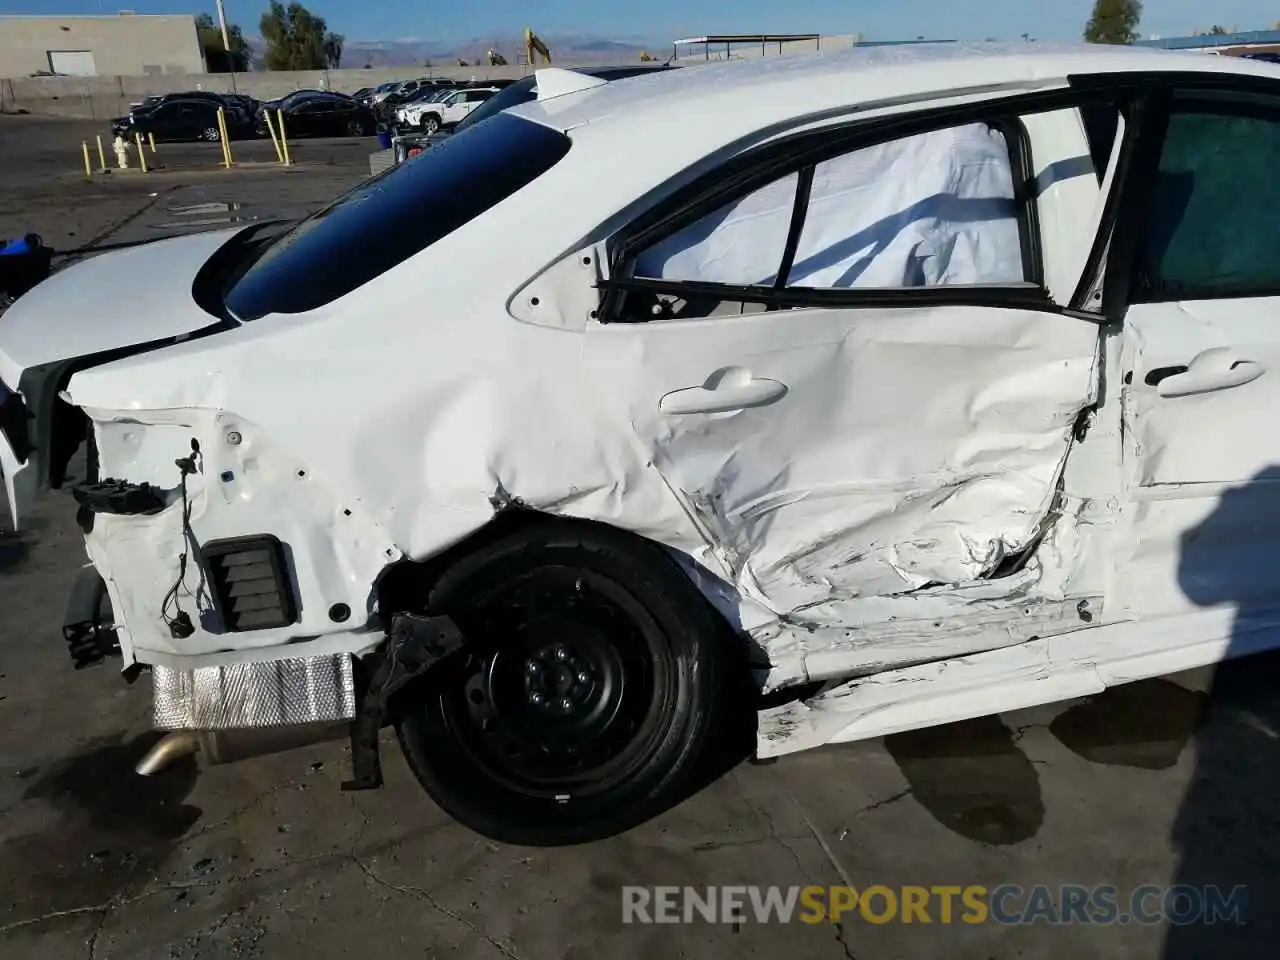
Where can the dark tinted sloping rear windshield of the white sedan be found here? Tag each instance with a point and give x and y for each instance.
(388, 220)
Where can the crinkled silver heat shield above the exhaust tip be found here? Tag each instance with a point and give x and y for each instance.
(269, 694)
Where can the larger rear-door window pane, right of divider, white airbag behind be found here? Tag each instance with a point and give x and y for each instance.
(921, 212)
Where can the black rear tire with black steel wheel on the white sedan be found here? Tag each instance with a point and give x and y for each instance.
(589, 693)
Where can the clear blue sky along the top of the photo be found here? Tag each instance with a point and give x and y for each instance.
(668, 20)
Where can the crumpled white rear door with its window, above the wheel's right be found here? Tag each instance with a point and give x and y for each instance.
(890, 417)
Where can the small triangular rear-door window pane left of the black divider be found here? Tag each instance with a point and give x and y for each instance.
(740, 244)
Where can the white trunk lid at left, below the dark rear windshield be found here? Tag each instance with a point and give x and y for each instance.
(113, 301)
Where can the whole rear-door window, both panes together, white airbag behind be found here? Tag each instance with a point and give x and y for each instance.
(927, 211)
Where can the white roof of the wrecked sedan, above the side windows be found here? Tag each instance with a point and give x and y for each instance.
(747, 95)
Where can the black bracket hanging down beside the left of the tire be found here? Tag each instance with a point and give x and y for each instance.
(415, 644)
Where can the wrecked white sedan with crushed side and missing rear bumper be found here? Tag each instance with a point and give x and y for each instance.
(898, 386)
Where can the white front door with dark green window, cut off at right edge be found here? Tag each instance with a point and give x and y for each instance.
(1201, 358)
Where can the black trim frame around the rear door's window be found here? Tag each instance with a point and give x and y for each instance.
(755, 170)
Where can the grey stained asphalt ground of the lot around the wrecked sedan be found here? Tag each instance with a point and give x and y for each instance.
(1174, 781)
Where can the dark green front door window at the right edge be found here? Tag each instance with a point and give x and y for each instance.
(1213, 227)
